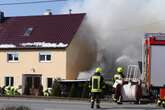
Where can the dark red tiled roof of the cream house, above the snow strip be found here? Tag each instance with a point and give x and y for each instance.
(46, 28)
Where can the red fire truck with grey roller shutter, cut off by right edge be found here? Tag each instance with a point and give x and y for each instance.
(153, 65)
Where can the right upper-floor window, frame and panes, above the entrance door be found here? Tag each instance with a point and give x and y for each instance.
(44, 57)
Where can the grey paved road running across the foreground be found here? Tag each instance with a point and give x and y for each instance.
(60, 104)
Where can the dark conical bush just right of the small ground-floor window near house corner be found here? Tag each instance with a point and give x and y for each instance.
(56, 91)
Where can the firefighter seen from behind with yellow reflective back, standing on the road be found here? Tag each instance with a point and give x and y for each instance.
(96, 85)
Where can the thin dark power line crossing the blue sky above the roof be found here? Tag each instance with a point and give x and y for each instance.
(22, 3)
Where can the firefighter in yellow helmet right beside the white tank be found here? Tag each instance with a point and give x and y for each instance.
(118, 81)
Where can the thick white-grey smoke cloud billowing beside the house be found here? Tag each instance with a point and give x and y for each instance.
(118, 26)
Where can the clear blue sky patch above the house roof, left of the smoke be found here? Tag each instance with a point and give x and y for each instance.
(32, 9)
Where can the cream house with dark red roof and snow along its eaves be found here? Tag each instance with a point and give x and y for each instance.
(35, 50)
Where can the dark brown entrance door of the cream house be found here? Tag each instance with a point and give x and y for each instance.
(32, 84)
